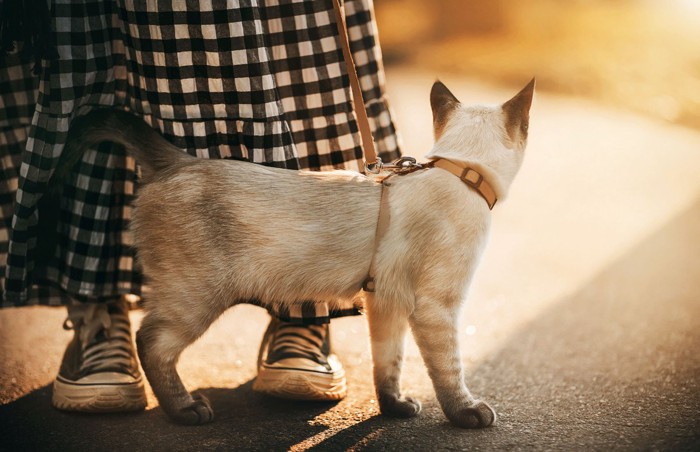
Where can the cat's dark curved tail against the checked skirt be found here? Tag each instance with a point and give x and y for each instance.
(148, 147)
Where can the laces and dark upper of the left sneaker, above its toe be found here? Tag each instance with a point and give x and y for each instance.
(105, 338)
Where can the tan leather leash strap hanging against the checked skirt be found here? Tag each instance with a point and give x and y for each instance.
(369, 151)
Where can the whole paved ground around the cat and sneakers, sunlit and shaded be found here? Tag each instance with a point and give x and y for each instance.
(582, 328)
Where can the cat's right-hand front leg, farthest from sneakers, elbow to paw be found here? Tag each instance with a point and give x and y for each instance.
(434, 325)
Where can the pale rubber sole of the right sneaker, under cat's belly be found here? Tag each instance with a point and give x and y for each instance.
(300, 385)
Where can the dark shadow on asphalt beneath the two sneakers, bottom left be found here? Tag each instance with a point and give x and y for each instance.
(243, 420)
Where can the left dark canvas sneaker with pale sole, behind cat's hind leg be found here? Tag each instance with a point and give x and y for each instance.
(99, 372)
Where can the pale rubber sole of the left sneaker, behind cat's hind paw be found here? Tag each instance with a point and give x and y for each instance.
(96, 398)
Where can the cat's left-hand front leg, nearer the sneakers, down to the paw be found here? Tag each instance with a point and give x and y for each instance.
(387, 333)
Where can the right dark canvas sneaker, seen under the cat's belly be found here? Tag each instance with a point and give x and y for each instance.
(295, 363)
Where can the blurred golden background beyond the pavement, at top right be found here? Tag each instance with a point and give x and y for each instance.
(642, 55)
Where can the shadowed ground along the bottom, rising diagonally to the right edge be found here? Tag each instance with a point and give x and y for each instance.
(615, 365)
